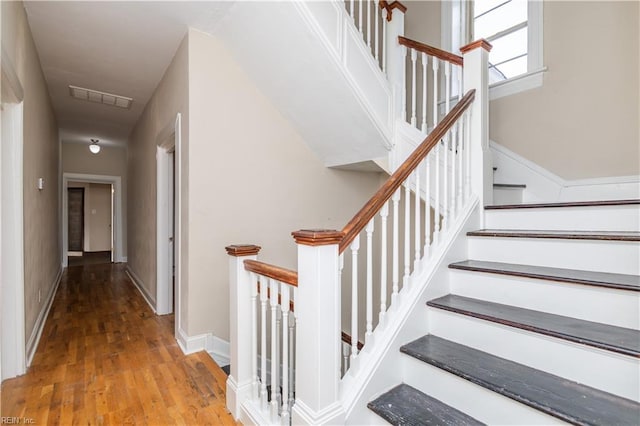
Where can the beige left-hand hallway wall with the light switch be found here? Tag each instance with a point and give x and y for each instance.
(41, 159)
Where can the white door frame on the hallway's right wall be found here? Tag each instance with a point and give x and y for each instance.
(168, 182)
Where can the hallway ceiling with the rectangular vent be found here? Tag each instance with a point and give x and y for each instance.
(122, 48)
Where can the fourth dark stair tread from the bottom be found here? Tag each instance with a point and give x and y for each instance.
(599, 279)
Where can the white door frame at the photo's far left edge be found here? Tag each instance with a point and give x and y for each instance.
(12, 318)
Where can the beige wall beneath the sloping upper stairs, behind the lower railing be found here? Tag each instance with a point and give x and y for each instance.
(252, 180)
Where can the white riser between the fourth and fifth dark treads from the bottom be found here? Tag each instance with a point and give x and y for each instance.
(621, 257)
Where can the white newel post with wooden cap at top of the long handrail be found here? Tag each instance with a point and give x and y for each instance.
(476, 76)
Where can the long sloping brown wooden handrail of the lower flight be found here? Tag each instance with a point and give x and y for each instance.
(373, 206)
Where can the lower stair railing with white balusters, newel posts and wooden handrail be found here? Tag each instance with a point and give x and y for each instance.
(306, 381)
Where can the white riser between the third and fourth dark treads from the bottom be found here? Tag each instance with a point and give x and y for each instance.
(605, 305)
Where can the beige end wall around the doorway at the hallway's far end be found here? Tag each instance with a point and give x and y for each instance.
(110, 161)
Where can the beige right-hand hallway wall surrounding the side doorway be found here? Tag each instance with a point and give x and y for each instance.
(170, 98)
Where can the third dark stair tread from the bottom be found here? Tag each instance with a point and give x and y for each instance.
(608, 337)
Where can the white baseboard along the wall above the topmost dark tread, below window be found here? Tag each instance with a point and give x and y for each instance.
(545, 186)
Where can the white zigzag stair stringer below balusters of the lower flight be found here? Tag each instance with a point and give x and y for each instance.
(406, 322)
